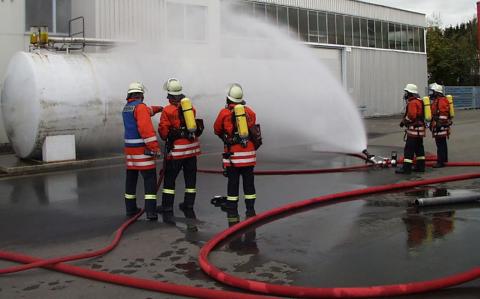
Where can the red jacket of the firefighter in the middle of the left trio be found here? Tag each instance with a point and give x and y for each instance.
(182, 147)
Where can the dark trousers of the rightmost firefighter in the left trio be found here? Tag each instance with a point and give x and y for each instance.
(248, 178)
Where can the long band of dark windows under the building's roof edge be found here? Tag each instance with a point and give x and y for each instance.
(327, 27)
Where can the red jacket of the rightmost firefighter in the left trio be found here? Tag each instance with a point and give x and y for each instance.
(241, 156)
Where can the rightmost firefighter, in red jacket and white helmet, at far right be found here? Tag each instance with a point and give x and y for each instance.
(441, 122)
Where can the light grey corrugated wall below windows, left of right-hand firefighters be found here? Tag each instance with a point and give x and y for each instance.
(376, 78)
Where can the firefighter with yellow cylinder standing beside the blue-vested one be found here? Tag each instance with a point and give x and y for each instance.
(183, 148)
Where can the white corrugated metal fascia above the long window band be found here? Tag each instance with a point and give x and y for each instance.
(358, 8)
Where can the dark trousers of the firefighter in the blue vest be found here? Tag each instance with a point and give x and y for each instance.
(150, 185)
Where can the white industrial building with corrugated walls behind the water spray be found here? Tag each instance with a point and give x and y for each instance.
(372, 50)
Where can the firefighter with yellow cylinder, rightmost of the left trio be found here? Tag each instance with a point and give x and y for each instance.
(239, 158)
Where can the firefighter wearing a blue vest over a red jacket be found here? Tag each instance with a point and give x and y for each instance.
(141, 149)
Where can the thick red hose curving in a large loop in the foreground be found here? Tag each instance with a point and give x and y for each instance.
(310, 292)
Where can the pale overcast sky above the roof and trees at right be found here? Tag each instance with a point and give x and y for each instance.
(452, 12)
